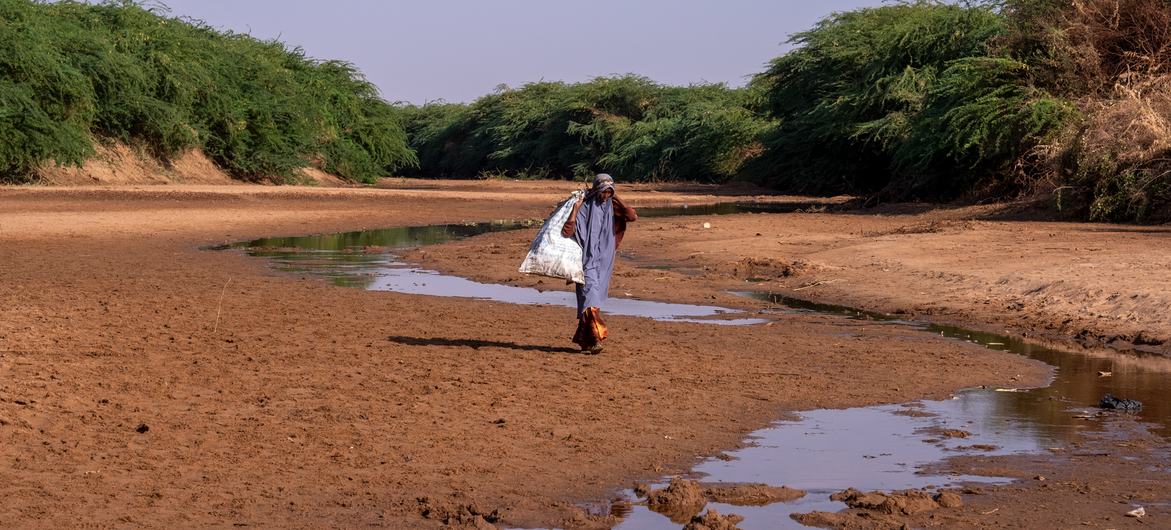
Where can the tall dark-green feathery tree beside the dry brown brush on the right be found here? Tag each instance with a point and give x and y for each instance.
(902, 99)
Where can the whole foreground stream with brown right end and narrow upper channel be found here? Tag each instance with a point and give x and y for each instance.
(888, 448)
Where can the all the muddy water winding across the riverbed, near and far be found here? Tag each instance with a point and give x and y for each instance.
(884, 448)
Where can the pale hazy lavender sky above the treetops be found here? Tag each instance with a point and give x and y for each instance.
(422, 51)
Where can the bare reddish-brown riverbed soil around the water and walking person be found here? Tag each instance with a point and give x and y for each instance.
(278, 401)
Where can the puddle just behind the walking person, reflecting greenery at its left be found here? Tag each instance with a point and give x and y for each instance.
(366, 260)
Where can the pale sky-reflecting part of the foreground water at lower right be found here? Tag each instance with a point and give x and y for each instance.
(871, 449)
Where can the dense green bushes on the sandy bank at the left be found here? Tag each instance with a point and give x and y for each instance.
(74, 72)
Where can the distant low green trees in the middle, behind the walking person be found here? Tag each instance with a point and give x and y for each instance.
(627, 126)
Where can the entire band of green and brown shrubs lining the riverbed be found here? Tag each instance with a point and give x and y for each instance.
(914, 100)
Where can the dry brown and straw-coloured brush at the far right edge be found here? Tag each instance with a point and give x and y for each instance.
(1114, 59)
